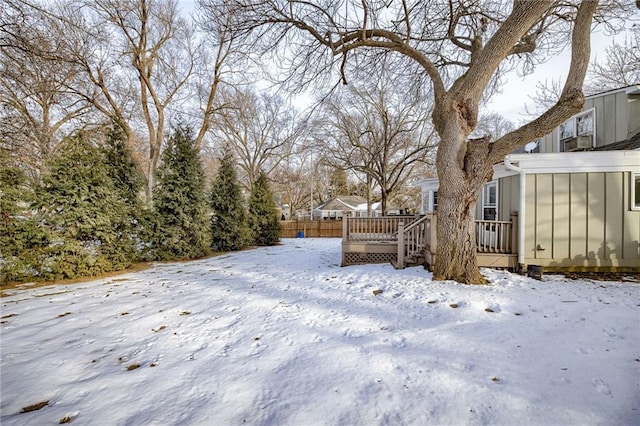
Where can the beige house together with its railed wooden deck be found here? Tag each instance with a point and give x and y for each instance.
(570, 201)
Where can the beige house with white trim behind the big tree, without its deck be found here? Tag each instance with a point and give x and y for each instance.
(576, 194)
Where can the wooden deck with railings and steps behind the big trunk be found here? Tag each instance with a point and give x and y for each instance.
(411, 240)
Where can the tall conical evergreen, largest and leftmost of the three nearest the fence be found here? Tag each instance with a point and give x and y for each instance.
(180, 203)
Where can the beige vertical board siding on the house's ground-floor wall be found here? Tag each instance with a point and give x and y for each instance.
(575, 220)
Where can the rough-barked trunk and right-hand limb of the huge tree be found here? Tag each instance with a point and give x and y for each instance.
(465, 166)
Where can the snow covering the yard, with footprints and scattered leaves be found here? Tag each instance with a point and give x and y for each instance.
(284, 336)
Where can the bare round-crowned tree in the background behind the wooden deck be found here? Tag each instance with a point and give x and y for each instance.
(379, 130)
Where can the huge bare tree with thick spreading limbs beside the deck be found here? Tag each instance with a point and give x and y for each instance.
(458, 47)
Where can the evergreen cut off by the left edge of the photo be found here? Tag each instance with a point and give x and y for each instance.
(23, 240)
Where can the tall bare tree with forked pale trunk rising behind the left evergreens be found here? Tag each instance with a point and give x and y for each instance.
(155, 54)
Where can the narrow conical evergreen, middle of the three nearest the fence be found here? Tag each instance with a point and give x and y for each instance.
(229, 226)
